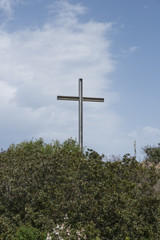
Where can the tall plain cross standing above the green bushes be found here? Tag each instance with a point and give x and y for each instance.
(80, 99)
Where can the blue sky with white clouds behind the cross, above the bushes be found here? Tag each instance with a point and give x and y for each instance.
(47, 45)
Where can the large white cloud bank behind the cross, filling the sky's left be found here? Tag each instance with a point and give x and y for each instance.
(39, 64)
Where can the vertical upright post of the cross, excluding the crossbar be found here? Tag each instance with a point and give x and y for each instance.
(81, 113)
